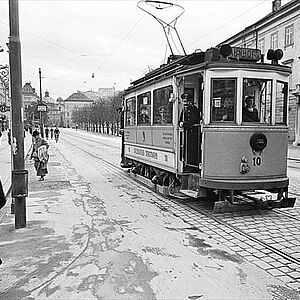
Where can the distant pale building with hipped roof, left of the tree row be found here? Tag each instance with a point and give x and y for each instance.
(76, 100)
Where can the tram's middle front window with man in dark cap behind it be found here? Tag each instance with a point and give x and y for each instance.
(257, 95)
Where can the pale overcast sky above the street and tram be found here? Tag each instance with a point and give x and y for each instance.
(86, 45)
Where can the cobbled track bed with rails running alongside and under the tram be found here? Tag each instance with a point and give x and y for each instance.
(198, 214)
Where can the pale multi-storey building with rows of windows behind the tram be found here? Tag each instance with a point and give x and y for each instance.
(279, 29)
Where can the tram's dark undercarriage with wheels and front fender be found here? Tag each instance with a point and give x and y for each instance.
(188, 186)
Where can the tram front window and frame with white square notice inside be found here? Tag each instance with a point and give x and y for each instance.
(222, 101)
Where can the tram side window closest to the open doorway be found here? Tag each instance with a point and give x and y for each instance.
(162, 108)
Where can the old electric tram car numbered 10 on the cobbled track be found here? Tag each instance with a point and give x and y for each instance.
(236, 147)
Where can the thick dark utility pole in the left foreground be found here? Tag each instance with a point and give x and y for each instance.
(19, 174)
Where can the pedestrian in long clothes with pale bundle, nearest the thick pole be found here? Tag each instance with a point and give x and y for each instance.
(40, 155)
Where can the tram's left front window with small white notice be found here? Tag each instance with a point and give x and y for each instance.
(223, 100)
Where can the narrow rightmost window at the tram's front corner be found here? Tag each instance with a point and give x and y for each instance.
(281, 103)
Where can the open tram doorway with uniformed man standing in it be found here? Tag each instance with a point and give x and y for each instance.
(190, 139)
